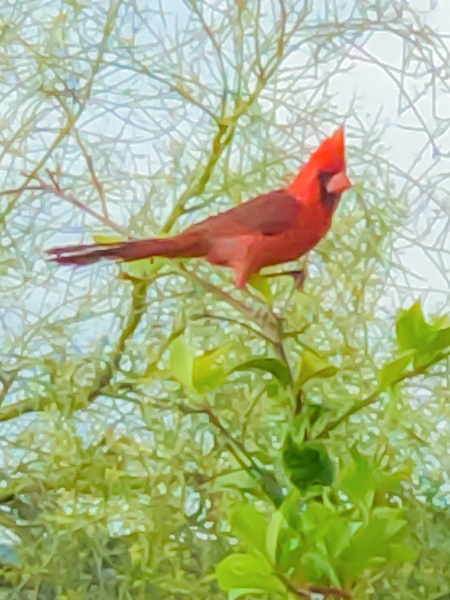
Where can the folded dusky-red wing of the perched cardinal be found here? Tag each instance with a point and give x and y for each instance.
(269, 214)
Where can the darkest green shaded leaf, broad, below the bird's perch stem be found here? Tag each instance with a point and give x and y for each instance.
(307, 463)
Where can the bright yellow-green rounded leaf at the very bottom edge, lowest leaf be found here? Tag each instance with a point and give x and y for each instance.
(247, 571)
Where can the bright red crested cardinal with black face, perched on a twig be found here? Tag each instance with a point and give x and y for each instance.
(268, 230)
